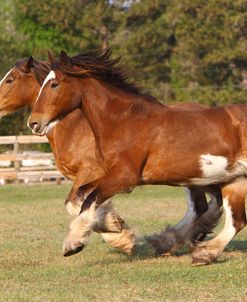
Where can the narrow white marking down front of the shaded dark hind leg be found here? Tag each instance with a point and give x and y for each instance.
(189, 218)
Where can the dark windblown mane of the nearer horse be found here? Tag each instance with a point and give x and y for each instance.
(98, 64)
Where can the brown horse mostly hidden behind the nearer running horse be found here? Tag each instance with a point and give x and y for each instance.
(20, 87)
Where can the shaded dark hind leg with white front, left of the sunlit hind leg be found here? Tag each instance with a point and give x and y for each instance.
(176, 236)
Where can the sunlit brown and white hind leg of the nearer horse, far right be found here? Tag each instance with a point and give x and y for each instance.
(235, 220)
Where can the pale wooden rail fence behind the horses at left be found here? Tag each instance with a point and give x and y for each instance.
(18, 171)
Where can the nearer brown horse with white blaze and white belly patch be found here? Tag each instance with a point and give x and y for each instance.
(168, 146)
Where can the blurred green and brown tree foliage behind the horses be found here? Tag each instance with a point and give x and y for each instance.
(180, 50)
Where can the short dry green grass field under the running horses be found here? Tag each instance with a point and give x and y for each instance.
(34, 222)
